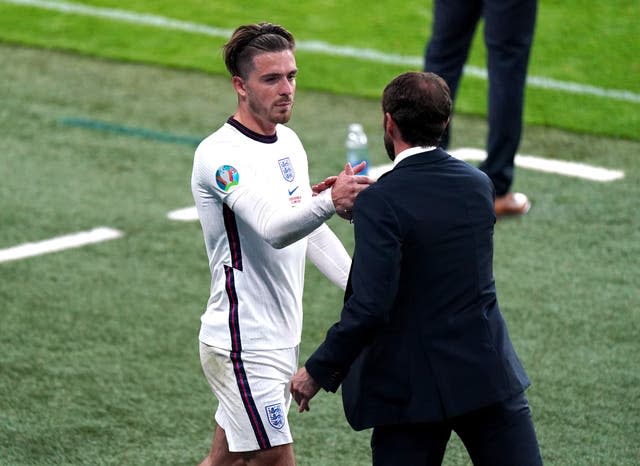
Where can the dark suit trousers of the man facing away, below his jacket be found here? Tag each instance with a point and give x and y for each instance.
(498, 435)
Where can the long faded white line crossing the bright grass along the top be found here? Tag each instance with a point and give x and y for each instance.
(313, 46)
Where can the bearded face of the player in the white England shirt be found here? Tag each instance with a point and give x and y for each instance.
(270, 87)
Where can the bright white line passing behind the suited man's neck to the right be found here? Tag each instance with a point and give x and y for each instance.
(559, 167)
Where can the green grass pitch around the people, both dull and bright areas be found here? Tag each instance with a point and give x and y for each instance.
(98, 345)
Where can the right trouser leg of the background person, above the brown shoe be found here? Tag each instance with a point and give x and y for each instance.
(508, 32)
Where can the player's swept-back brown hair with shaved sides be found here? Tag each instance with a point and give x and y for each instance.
(253, 39)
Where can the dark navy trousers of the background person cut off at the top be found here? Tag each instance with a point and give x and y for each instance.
(508, 35)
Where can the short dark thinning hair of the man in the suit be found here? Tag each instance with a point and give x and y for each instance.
(420, 105)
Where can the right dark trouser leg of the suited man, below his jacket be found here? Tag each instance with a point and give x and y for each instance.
(500, 435)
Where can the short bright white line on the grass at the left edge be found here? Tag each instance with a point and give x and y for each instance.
(73, 240)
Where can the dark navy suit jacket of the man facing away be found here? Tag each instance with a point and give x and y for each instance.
(420, 337)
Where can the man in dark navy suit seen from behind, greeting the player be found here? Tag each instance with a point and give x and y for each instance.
(421, 348)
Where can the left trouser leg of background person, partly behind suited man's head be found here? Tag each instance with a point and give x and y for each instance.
(454, 24)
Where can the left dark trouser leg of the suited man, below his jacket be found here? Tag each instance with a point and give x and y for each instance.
(410, 444)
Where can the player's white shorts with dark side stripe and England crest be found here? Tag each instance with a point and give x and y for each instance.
(252, 388)
